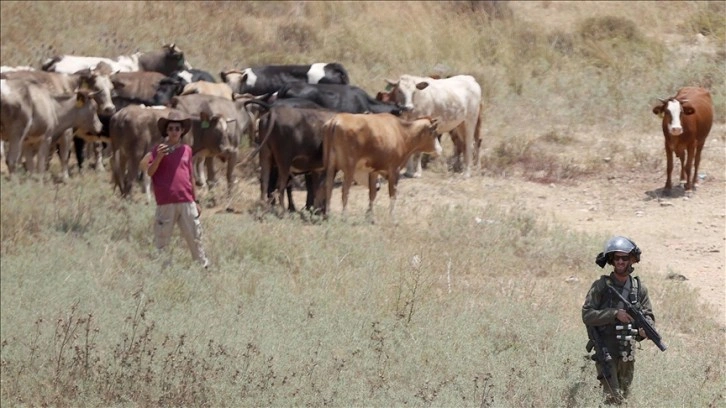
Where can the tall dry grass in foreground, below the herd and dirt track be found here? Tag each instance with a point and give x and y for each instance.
(461, 313)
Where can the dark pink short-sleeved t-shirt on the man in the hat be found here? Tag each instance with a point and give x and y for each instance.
(173, 178)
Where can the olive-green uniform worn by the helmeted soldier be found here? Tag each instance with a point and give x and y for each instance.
(599, 311)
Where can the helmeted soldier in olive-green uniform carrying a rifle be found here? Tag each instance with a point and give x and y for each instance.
(604, 313)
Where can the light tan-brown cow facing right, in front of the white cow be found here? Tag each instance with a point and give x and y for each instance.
(376, 144)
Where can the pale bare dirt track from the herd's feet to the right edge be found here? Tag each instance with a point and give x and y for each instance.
(679, 235)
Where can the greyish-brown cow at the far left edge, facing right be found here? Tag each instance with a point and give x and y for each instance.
(31, 114)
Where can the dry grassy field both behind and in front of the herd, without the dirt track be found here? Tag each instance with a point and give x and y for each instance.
(437, 311)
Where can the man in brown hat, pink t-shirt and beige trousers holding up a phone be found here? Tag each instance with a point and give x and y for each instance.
(169, 164)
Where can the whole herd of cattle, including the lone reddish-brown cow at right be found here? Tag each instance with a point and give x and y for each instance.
(304, 119)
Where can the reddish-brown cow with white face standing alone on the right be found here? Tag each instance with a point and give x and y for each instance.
(687, 120)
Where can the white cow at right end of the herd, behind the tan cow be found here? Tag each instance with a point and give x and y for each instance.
(454, 102)
